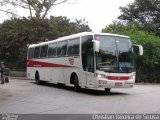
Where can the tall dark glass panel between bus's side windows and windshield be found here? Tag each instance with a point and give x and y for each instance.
(87, 53)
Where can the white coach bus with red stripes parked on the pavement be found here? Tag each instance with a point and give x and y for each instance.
(89, 60)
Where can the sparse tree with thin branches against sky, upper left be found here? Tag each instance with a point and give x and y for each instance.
(39, 7)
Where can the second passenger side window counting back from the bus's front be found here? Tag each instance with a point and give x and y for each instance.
(62, 48)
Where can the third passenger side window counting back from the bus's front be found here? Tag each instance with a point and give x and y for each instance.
(52, 50)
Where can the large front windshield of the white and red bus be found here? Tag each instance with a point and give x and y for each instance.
(115, 54)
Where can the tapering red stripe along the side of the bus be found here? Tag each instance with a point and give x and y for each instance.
(31, 63)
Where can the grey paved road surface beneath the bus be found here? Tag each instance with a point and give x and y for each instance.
(25, 97)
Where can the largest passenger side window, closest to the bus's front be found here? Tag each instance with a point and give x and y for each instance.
(73, 46)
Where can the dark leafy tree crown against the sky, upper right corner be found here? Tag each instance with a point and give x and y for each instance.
(146, 12)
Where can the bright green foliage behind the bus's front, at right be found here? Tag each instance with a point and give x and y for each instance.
(148, 65)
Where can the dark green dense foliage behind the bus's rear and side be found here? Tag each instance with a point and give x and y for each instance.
(16, 33)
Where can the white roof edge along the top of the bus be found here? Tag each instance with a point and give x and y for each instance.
(75, 36)
